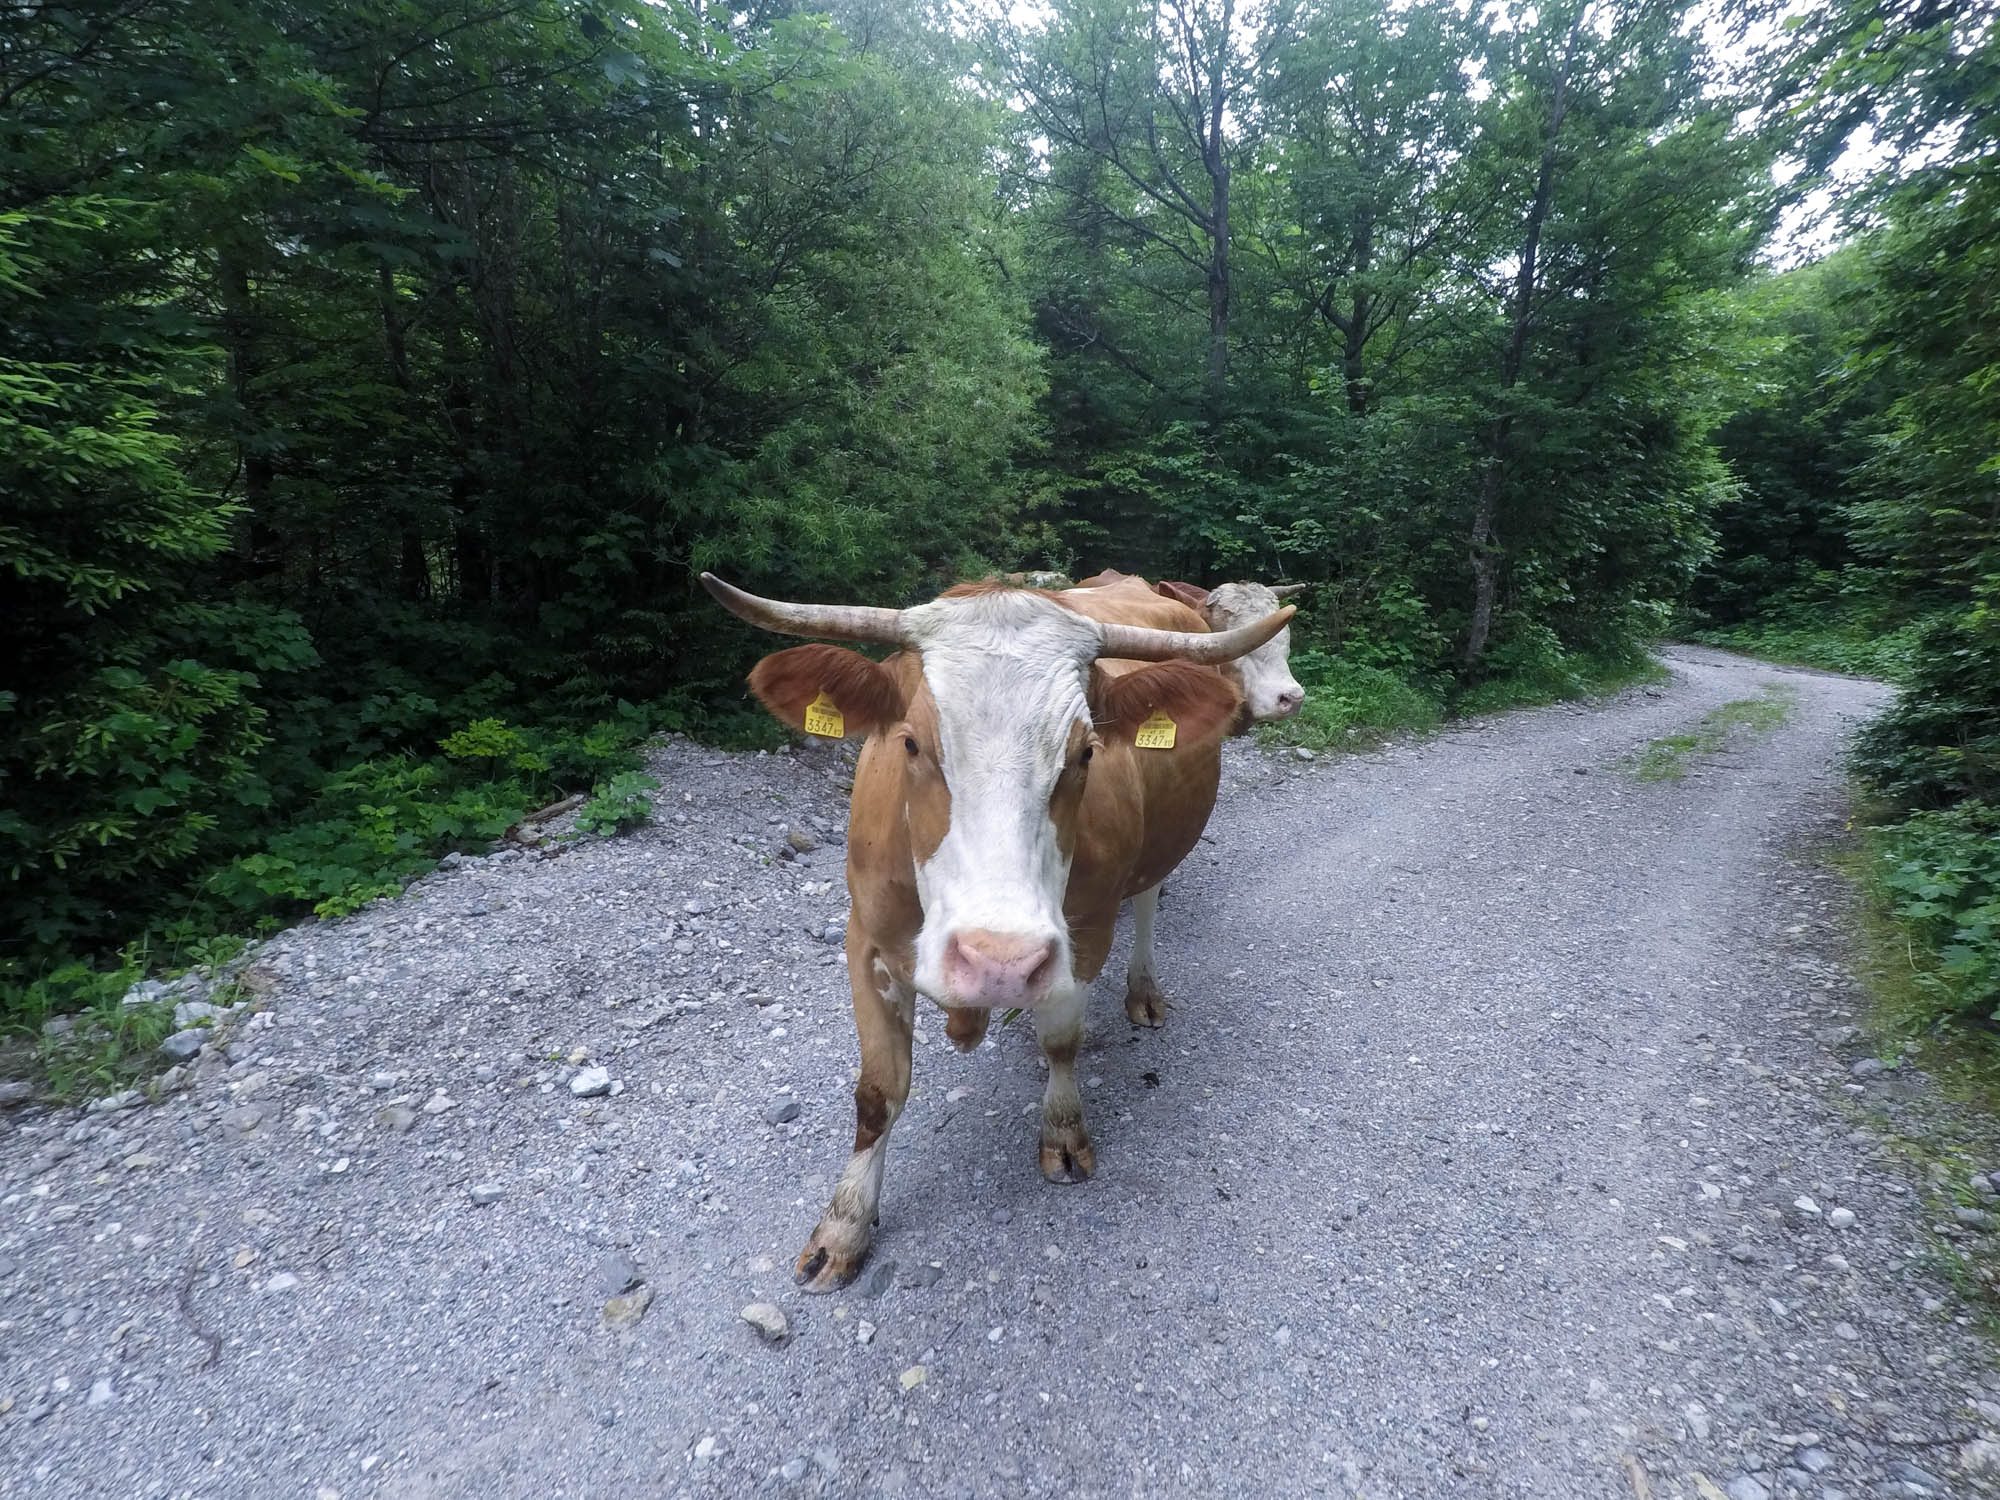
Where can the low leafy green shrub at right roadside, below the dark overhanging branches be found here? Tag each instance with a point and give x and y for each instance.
(1941, 875)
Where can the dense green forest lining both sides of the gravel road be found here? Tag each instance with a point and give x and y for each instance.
(379, 375)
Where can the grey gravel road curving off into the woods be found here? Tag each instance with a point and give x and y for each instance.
(1469, 1165)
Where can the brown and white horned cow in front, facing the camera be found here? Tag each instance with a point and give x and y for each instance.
(1013, 791)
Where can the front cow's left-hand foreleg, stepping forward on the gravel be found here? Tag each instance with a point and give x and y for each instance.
(885, 1013)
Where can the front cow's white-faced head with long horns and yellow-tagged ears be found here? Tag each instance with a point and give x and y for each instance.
(995, 735)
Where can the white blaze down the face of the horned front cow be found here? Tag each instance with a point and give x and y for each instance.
(1009, 675)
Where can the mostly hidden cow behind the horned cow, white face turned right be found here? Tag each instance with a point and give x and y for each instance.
(1263, 677)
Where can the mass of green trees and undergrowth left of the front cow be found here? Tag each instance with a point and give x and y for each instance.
(361, 393)
